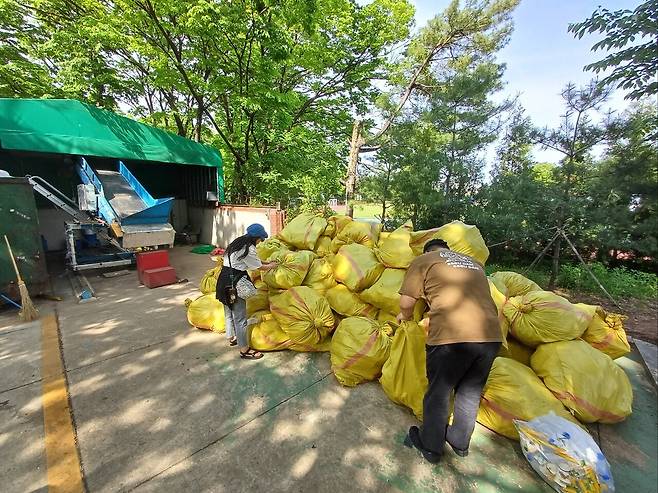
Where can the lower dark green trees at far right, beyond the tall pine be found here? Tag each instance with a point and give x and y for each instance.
(607, 205)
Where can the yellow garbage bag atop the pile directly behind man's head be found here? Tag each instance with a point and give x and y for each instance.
(460, 237)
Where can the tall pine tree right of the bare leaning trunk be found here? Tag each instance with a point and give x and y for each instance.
(430, 166)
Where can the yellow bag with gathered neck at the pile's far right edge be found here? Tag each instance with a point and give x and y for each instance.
(605, 331)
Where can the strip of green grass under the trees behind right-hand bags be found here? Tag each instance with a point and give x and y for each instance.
(619, 281)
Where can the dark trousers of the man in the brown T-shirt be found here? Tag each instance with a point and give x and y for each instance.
(464, 368)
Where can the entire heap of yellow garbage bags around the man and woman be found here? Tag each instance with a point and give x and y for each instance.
(335, 290)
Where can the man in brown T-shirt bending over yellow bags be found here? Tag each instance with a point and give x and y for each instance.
(463, 339)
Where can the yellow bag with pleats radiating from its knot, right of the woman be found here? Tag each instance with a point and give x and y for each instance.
(303, 314)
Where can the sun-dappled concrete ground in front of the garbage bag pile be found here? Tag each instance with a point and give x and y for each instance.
(158, 405)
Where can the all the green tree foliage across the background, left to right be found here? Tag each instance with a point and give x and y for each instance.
(276, 85)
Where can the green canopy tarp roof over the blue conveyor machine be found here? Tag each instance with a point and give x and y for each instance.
(65, 126)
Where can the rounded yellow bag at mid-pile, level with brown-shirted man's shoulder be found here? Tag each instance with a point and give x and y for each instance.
(356, 267)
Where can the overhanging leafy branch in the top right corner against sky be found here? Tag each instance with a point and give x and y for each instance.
(634, 64)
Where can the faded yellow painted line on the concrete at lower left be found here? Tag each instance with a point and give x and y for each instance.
(62, 459)
